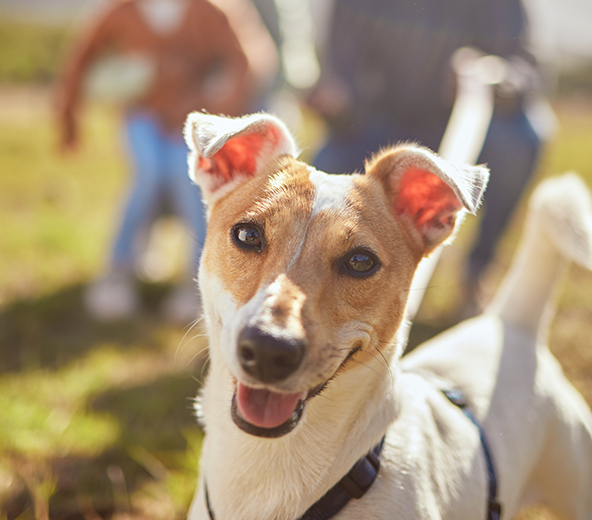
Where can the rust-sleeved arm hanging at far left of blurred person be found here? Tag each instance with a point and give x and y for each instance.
(69, 87)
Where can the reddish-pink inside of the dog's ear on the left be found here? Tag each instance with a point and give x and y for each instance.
(239, 154)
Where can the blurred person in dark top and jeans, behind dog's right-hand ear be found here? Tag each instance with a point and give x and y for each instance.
(387, 77)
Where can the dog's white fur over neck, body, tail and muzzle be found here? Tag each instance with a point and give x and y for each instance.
(432, 465)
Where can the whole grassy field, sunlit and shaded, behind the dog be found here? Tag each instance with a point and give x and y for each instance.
(96, 420)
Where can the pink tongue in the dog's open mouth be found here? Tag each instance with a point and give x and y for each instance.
(263, 408)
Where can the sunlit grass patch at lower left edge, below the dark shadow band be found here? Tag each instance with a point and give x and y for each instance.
(42, 413)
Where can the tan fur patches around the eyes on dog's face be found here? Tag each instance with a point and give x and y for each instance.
(282, 203)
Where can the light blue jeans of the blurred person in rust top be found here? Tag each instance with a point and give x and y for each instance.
(159, 163)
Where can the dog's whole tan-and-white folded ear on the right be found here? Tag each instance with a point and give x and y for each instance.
(427, 194)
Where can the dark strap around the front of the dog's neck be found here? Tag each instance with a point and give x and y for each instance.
(354, 484)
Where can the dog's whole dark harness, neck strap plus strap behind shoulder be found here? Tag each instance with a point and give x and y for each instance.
(360, 478)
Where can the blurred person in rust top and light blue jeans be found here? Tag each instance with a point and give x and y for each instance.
(161, 59)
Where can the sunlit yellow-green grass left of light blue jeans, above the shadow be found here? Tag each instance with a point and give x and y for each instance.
(57, 211)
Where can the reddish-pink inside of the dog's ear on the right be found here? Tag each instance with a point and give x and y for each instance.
(426, 198)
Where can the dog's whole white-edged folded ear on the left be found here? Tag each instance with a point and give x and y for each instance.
(228, 151)
